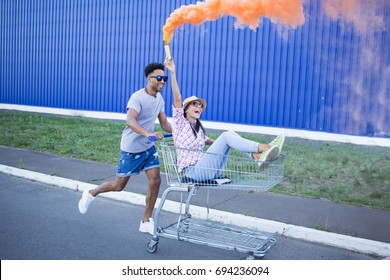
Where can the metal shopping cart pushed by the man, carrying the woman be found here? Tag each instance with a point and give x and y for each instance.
(239, 173)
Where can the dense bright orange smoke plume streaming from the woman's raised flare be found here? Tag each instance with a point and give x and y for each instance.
(247, 12)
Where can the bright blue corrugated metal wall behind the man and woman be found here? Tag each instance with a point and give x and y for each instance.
(90, 55)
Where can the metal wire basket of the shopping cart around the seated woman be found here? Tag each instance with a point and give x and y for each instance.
(243, 173)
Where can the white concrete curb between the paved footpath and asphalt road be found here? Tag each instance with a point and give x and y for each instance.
(360, 245)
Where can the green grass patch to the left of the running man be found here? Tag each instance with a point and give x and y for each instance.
(72, 137)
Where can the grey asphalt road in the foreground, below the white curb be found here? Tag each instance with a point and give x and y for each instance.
(42, 222)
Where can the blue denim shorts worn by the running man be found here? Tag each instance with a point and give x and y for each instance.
(132, 164)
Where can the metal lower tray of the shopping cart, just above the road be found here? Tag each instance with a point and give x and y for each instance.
(256, 243)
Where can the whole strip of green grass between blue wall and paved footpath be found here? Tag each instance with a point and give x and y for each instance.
(344, 173)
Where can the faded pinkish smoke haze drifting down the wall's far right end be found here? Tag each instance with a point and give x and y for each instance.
(367, 84)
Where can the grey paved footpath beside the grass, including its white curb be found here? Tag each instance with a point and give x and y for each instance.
(360, 229)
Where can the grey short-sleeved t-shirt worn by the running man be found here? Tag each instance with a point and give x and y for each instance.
(148, 108)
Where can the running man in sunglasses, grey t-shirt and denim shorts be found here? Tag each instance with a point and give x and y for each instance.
(137, 153)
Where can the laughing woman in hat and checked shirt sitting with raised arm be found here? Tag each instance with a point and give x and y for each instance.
(190, 139)
